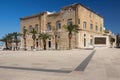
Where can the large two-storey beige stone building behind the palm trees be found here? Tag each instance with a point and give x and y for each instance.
(90, 24)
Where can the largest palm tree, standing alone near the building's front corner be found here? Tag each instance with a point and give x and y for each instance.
(71, 28)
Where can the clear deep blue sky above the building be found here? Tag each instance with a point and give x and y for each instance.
(12, 10)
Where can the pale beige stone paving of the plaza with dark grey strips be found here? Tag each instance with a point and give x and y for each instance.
(99, 64)
